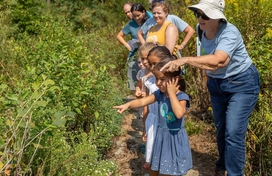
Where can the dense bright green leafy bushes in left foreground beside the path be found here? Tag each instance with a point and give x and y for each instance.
(54, 87)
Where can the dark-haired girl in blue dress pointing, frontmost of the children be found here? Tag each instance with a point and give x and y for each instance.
(171, 150)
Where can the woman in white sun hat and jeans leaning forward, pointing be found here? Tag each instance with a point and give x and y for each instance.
(233, 82)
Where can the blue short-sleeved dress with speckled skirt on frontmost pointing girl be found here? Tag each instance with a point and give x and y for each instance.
(171, 150)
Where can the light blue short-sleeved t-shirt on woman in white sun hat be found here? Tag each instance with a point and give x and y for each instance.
(229, 40)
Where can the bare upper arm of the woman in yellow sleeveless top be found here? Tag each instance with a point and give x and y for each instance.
(171, 37)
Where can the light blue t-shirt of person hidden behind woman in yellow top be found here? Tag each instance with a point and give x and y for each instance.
(179, 23)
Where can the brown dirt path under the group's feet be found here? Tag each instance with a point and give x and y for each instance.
(130, 160)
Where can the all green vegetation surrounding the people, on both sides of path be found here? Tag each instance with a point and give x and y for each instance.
(62, 70)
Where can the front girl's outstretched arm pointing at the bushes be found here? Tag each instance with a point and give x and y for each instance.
(136, 103)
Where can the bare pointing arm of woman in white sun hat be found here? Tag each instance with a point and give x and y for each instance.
(207, 62)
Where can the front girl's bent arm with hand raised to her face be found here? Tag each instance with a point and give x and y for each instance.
(178, 107)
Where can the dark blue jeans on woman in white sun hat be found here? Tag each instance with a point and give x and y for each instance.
(233, 100)
